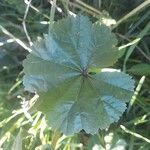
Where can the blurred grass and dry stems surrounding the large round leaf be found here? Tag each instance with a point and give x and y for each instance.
(21, 22)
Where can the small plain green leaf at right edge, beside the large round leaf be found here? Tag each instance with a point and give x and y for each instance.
(140, 69)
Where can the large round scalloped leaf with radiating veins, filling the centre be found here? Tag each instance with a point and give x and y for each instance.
(59, 70)
